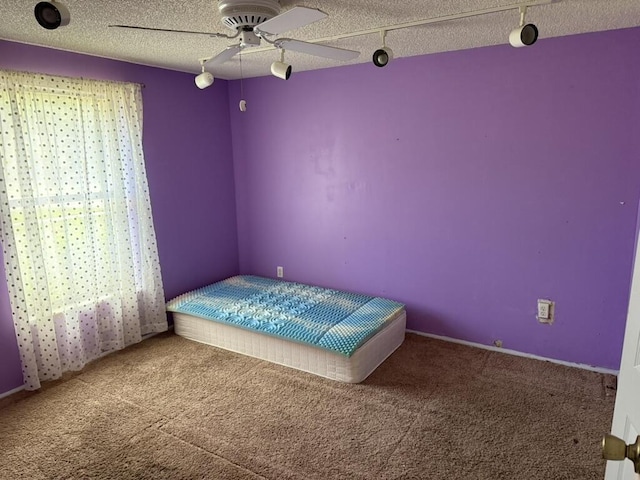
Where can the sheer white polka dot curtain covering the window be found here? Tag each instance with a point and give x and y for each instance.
(76, 228)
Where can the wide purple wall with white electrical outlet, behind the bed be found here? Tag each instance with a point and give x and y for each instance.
(465, 184)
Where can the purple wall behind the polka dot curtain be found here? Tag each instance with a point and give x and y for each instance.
(187, 141)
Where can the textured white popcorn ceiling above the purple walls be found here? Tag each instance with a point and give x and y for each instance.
(89, 33)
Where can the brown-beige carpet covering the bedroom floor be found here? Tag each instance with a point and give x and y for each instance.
(173, 409)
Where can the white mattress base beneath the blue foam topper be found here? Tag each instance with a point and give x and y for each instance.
(308, 358)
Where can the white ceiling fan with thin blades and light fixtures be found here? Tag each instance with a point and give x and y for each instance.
(257, 20)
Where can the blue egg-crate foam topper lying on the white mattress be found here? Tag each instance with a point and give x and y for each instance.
(329, 319)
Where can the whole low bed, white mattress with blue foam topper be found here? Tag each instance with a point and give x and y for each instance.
(334, 334)
